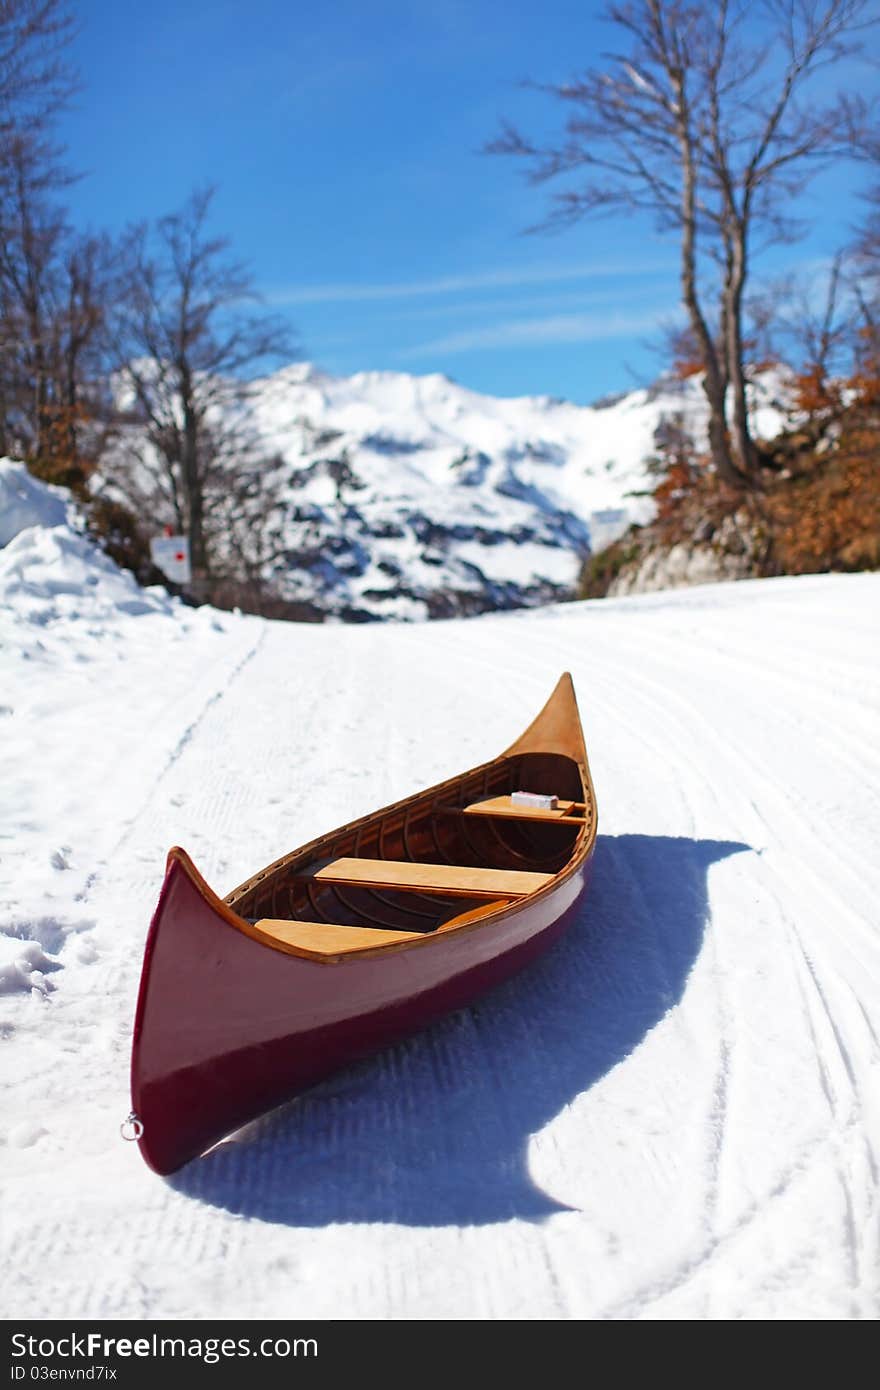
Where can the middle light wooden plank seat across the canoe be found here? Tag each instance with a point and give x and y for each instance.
(459, 881)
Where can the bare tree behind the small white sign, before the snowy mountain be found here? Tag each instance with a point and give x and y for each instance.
(186, 345)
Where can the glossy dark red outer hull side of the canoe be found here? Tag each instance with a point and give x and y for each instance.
(229, 1029)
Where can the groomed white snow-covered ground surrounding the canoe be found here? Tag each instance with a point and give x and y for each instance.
(674, 1115)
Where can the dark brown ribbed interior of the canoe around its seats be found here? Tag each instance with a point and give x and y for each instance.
(429, 829)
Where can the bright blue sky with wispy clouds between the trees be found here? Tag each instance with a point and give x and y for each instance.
(345, 142)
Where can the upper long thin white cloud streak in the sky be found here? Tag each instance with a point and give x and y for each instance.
(511, 277)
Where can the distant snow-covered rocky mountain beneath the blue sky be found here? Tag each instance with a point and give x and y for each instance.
(412, 497)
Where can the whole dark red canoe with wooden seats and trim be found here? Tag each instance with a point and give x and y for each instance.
(355, 940)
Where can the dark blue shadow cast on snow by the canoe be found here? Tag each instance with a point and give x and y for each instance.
(436, 1131)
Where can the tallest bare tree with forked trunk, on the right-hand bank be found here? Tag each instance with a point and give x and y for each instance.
(710, 123)
